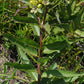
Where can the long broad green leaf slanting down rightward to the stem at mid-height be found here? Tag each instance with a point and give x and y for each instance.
(24, 44)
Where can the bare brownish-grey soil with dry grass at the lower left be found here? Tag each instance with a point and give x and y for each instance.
(9, 56)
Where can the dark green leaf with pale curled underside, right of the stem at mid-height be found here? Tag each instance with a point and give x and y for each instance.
(54, 47)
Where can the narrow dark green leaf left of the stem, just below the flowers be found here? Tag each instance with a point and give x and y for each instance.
(25, 19)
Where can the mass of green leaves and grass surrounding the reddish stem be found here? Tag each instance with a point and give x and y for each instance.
(47, 36)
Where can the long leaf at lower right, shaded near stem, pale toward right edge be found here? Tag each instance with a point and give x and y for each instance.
(61, 73)
